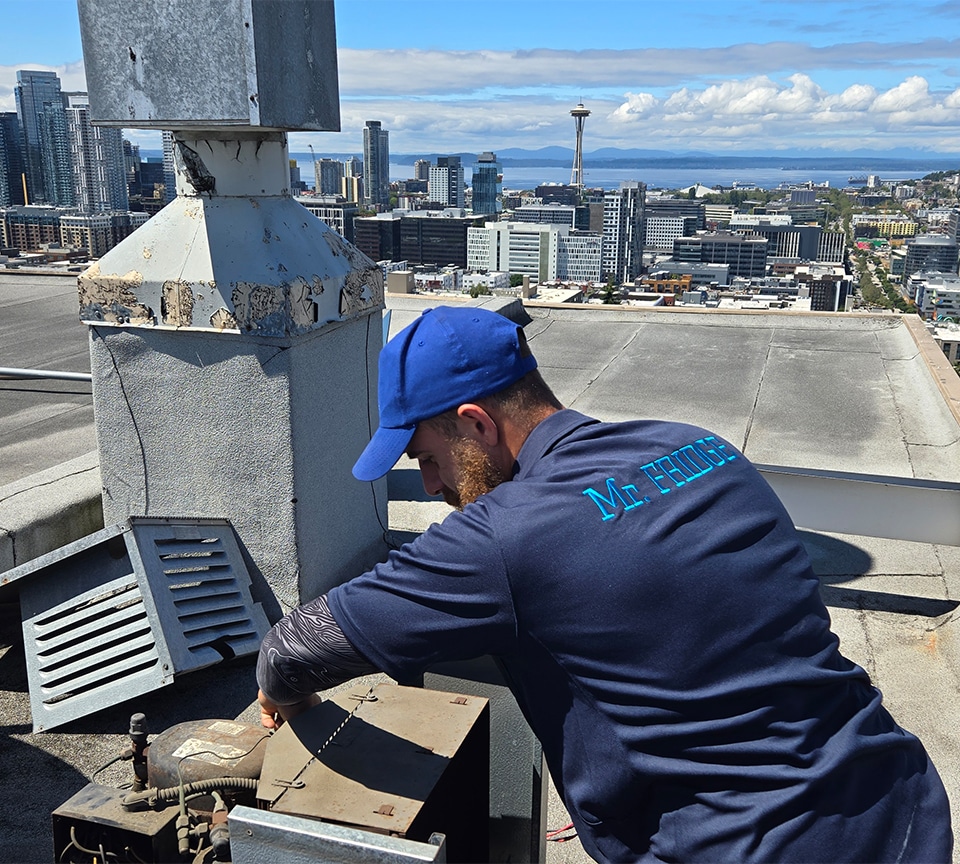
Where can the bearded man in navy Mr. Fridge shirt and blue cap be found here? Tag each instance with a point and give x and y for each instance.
(655, 612)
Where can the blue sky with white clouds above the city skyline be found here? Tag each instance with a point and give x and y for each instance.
(755, 76)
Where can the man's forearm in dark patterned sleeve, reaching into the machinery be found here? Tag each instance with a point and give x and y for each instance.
(306, 651)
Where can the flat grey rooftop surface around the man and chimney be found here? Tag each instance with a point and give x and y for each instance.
(864, 394)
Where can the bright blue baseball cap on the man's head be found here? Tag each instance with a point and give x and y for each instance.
(446, 357)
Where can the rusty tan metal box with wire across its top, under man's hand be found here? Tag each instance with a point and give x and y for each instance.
(379, 760)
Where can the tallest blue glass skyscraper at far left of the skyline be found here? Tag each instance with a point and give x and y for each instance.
(40, 113)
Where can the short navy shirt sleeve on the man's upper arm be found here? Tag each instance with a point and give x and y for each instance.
(443, 597)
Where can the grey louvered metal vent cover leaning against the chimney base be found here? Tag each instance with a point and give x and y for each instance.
(123, 611)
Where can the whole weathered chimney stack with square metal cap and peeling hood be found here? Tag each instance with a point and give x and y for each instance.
(234, 337)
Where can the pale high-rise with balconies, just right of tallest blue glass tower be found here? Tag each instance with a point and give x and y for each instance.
(96, 153)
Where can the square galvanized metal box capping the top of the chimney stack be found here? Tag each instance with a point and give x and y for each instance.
(179, 64)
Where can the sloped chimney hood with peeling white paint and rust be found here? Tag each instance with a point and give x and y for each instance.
(300, 277)
